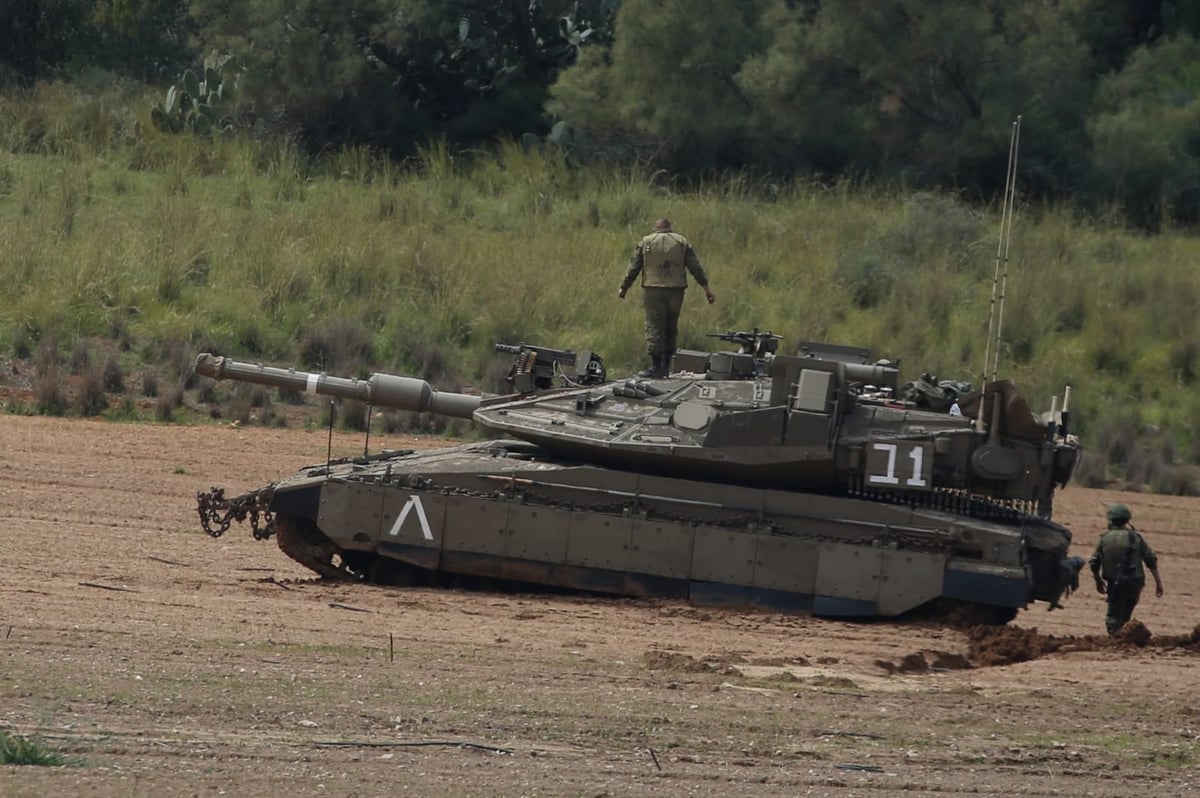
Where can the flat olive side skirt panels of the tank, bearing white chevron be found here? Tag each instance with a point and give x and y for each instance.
(867, 569)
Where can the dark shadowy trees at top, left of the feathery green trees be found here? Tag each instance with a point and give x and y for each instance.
(389, 73)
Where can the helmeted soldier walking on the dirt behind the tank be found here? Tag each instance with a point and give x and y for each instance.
(1118, 567)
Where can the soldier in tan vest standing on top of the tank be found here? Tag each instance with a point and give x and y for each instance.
(663, 259)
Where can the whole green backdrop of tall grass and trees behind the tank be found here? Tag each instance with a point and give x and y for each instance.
(398, 185)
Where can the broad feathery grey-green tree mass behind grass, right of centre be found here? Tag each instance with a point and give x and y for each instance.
(923, 89)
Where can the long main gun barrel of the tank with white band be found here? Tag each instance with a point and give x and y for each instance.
(380, 391)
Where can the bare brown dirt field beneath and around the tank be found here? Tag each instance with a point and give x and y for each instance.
(167, 663)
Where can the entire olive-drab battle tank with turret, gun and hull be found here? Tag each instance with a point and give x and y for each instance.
(812, 483)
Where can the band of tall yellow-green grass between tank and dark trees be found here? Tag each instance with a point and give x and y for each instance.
(159, 247)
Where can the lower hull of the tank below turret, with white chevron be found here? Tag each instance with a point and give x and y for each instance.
(506, 512)
